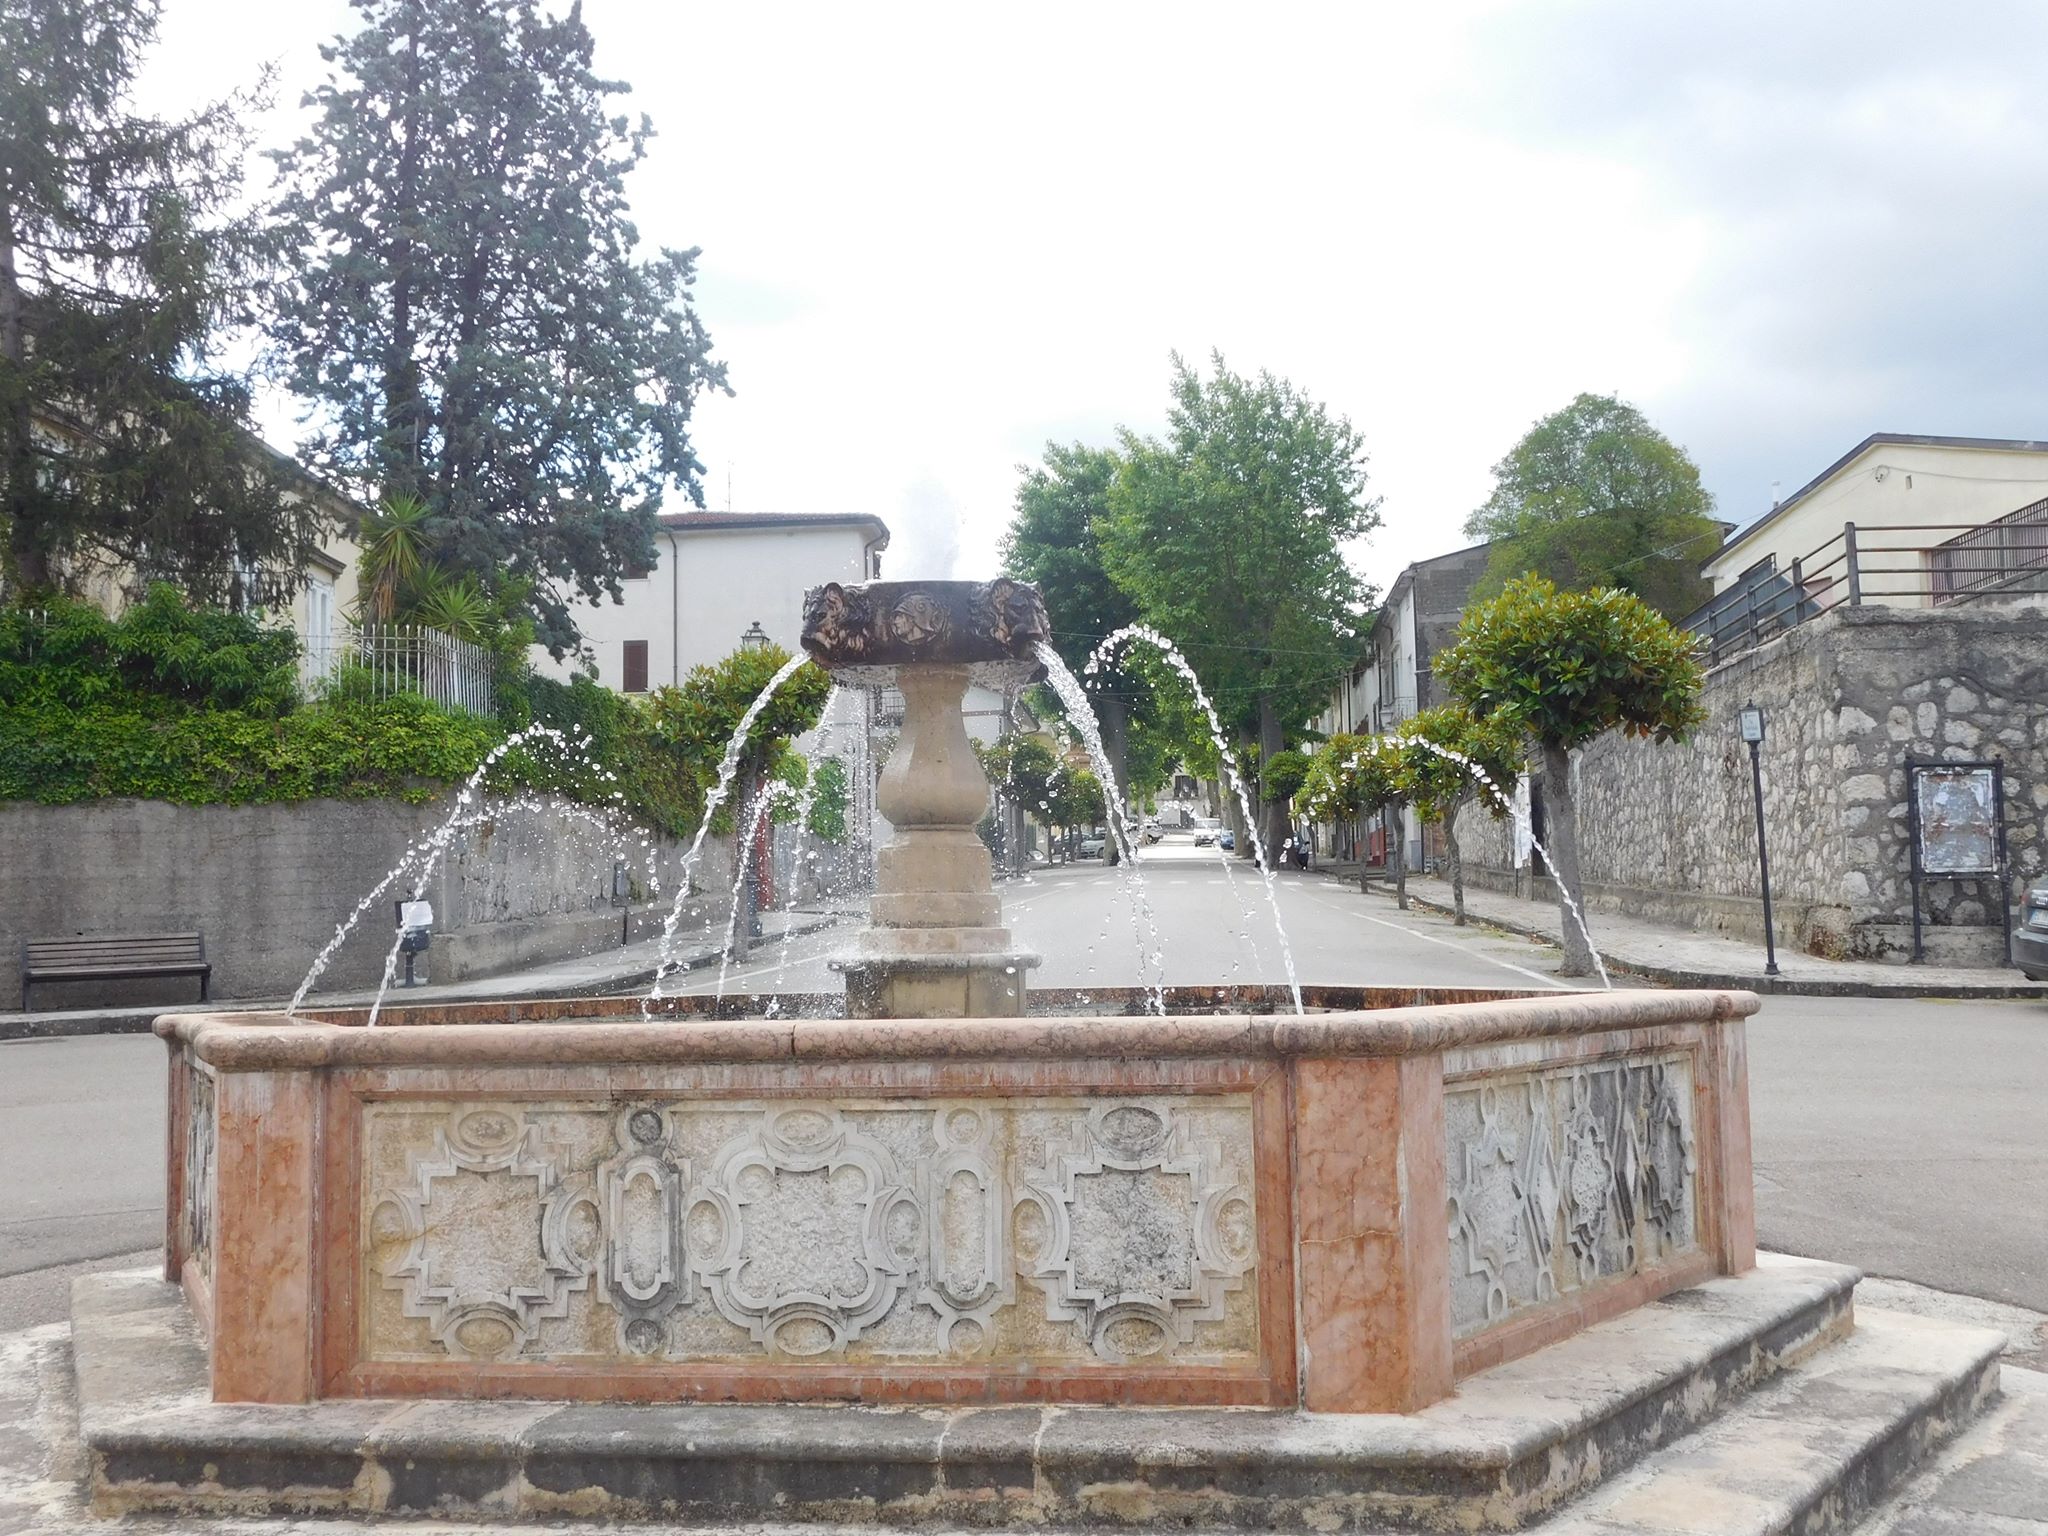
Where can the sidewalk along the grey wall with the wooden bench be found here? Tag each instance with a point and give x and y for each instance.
(628, 968)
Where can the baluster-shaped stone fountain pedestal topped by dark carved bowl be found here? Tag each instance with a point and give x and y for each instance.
(937, 945)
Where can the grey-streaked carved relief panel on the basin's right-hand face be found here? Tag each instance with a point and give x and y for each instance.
(1566, 1179)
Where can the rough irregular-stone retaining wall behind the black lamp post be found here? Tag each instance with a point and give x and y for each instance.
(1670, 830)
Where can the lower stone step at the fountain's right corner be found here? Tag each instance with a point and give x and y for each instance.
(1818, 1449)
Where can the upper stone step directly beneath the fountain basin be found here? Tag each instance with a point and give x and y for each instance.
(1512, 1443)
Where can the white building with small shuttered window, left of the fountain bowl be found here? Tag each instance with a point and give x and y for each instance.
(716, 577)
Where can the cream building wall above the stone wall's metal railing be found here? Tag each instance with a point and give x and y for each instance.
(1887, 486)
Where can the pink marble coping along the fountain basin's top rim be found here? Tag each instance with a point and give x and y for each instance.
(282, 1043)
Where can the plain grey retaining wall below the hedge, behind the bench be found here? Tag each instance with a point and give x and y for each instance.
(523, 884)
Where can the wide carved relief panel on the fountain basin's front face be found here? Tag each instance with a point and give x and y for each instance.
(1054, 1230)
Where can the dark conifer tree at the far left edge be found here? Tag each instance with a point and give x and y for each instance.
(124, 263)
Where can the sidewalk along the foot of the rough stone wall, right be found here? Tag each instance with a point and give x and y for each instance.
(1687, 957)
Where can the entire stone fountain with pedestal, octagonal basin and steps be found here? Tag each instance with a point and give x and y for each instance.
(1406, 1258)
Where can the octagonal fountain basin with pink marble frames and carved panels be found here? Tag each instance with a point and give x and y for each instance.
(1338, 1211)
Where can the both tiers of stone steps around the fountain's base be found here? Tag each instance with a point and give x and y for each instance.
(1807, 1420)
